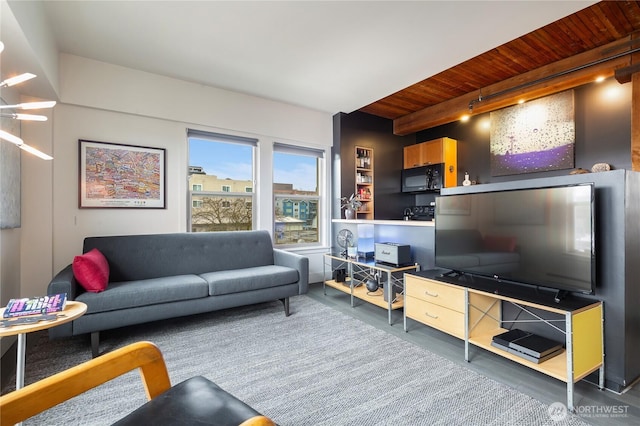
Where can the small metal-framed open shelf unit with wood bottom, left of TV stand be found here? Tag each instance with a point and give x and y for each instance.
(359, 270)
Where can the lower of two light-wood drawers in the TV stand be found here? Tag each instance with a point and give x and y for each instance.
(435, 316)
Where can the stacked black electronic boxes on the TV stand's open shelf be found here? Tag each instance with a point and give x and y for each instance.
(527, 345)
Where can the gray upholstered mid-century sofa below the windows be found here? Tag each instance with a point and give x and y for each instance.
(161, 276)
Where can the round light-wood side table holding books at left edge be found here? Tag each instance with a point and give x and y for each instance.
(71, 311)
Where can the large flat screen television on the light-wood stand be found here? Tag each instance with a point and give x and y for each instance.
(541, 237)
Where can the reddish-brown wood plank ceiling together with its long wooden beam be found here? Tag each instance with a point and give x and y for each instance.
(608, 23)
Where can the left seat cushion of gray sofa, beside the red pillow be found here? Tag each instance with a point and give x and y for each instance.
(132, 294)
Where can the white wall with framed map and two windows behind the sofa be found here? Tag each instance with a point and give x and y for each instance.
(108, 103)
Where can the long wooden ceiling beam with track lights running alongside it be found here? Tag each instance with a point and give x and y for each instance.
(569, 73)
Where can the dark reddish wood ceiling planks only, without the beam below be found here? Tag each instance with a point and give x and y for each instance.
(596, 25)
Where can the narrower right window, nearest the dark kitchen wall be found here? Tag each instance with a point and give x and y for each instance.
(296, 193)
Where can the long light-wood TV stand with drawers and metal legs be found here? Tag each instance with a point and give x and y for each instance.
(476, 317)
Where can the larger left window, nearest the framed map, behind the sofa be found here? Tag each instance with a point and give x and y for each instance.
(221, 182)
